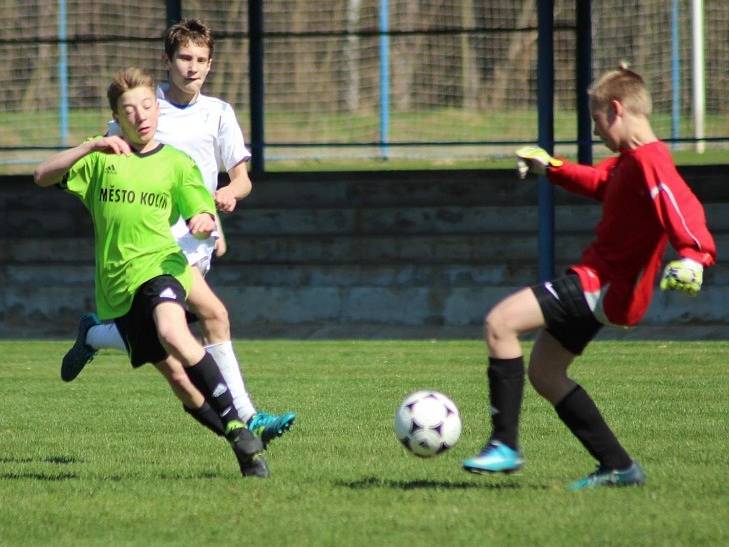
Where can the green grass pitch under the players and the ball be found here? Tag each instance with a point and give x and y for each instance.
(110, 459)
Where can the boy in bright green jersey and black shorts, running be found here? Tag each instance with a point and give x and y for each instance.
(133, 188)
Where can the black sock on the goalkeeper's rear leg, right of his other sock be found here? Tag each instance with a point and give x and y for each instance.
(580, 414)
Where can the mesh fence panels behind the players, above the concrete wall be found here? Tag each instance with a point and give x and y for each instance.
(361, 79)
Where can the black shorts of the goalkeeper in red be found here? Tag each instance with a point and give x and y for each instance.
(566, 313)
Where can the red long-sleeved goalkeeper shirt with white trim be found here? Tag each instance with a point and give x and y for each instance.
(646, 204)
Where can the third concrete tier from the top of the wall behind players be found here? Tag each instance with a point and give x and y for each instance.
(483, 249)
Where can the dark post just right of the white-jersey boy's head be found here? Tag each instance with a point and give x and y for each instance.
(255, 54)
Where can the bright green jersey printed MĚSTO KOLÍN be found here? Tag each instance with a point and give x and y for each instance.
(132, 200)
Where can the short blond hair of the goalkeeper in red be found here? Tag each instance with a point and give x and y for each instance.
(622, 85)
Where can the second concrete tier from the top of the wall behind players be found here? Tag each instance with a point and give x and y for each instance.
(65, 222)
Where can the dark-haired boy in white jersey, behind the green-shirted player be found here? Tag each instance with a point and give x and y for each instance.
(207, 129)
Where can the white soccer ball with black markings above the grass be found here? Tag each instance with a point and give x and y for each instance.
(427, 423)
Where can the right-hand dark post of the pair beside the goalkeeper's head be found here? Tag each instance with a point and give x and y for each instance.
(584, 77)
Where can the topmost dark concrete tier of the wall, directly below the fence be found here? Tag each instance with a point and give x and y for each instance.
(382, 189)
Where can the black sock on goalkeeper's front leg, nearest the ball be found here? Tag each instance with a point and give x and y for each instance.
(506, 387)
